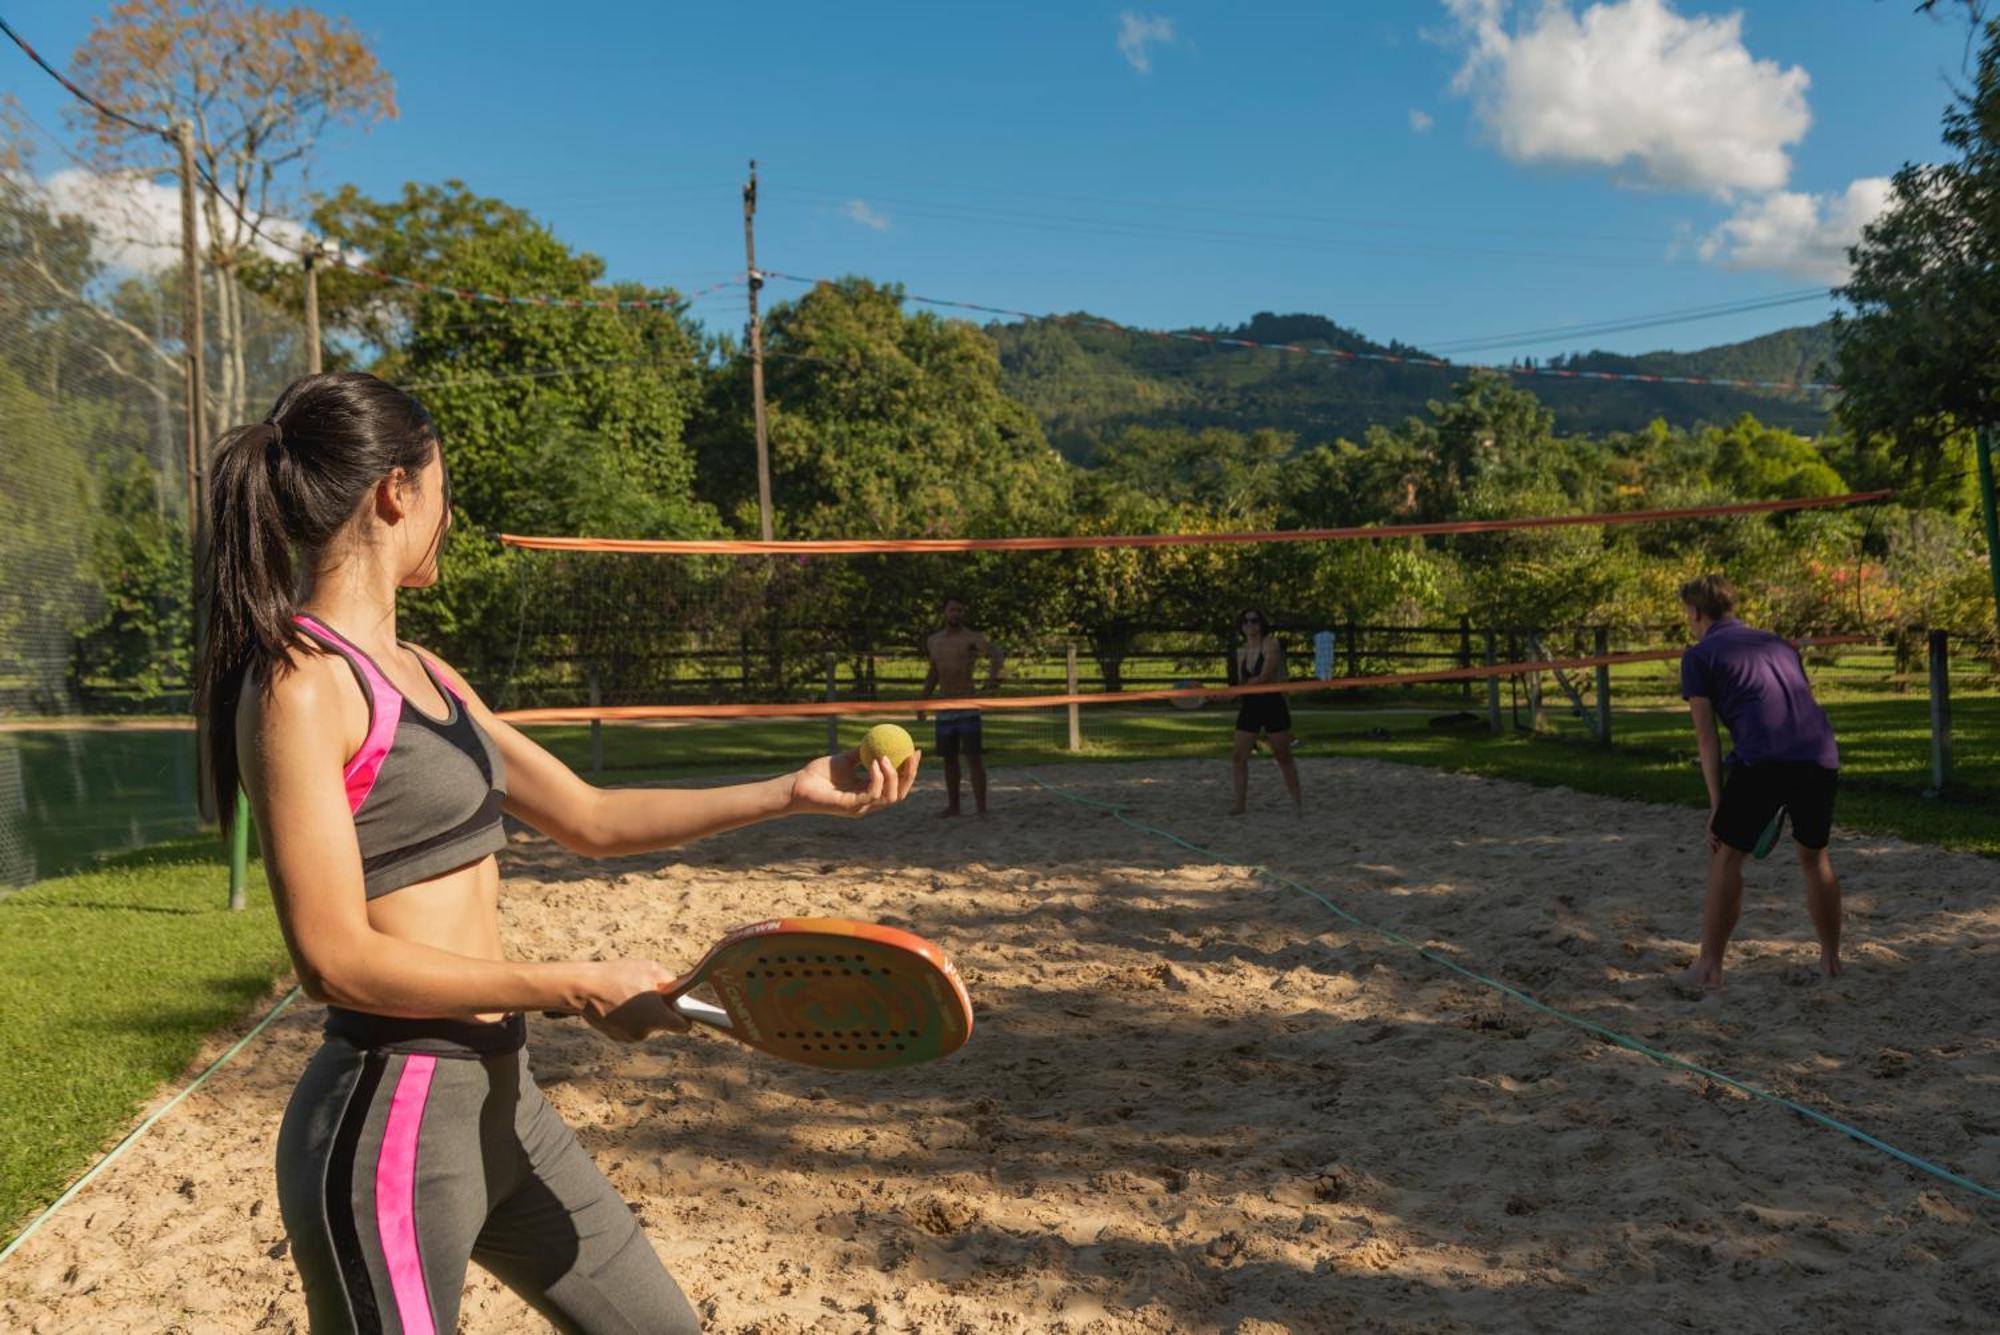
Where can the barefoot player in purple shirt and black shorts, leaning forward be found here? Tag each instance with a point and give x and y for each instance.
(1783, 760)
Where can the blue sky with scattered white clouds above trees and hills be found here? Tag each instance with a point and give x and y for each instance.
(1435, 171)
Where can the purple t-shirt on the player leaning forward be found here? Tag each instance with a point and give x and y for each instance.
(1761, 694)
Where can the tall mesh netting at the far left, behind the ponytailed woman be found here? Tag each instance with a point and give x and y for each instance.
(95, 559)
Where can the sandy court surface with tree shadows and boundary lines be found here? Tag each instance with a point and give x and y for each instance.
(1199, 1102)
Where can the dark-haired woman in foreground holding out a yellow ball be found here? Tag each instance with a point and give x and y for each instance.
(417, 1138)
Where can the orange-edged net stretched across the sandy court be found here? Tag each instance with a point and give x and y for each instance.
(1107, 639)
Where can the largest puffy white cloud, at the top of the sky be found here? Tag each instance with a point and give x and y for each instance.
(1633, 87)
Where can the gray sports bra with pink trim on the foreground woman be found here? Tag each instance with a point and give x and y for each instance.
(425, 792)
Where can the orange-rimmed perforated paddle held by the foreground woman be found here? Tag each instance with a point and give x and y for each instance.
(831, 992)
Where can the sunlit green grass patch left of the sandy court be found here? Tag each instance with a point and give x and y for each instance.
(109, 984)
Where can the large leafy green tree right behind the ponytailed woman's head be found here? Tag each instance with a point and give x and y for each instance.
(557, 419)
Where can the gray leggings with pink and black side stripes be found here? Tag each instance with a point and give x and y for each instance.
(395, 1168)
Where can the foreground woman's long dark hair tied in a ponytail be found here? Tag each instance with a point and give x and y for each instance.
(279, 493)
